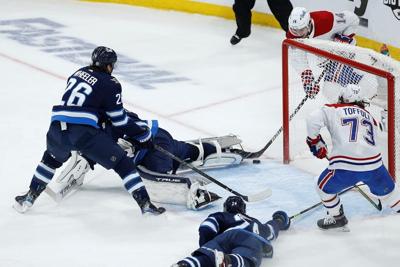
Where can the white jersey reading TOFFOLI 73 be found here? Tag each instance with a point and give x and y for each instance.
(354, 136)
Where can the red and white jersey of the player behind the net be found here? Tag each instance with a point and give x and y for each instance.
(326, 24)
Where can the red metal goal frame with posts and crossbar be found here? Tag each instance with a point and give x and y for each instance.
(333, 57)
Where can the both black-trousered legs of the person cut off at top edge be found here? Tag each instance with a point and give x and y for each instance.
(242, 8)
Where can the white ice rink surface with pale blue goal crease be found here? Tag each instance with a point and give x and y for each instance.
(180, 69)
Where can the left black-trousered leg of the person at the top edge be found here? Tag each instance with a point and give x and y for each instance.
(242, 10)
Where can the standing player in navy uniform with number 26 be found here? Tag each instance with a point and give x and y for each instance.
(92, 96)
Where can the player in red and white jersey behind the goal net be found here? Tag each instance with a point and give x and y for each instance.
(326, 25)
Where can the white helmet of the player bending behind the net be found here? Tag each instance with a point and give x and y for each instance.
(300, 22)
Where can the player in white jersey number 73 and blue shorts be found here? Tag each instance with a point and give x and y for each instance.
(355, 155)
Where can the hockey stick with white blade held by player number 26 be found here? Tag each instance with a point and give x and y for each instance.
(251, 198)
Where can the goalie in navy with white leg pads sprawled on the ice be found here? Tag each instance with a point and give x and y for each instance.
(165, 180)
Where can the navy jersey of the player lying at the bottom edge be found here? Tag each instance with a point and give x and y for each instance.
(219, 222)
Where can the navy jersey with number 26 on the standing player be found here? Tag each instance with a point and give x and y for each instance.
(93, 97)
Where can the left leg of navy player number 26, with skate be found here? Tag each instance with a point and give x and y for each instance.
(57, 152)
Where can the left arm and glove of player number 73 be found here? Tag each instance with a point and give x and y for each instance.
(315, 122)
